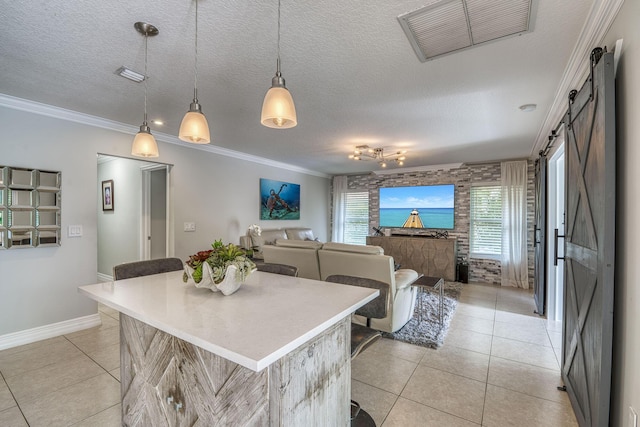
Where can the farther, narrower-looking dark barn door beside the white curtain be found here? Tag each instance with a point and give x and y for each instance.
(540, 265)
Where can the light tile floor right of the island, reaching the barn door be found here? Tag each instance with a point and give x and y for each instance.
(499, 366)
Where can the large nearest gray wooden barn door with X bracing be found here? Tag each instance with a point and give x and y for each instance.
(590, 244)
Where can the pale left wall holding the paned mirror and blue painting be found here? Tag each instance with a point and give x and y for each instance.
(220, 194)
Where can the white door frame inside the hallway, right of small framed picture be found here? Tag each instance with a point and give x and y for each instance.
(145, 217)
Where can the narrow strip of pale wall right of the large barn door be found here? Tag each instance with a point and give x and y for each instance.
(626, 351)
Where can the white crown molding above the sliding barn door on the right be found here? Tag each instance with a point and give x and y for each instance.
(599, 20)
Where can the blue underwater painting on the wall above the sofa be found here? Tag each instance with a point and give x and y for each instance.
(279, 200)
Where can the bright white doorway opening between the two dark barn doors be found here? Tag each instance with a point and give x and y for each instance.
(555, 202)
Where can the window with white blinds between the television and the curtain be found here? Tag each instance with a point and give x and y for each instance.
(485, 238)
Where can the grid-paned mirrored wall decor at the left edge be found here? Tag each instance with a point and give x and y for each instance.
(29, 208)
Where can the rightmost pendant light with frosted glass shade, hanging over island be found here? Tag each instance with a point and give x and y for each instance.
(278, 110)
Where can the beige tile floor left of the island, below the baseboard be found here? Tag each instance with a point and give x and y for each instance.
(71, 380)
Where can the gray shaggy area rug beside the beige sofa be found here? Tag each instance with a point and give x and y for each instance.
(429, 332)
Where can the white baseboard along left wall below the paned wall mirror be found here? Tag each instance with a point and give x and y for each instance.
(29, 336)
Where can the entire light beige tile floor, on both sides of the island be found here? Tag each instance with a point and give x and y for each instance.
(498, 367)
